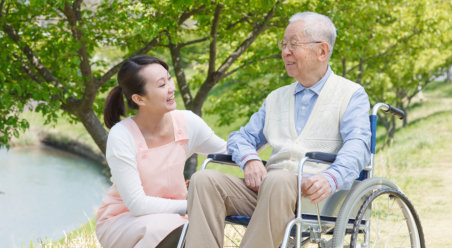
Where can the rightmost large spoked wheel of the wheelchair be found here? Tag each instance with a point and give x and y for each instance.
(387, 219)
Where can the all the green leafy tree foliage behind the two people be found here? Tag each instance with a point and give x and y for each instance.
(222, 53)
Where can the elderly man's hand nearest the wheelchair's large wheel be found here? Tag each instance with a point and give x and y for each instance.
(316, 188)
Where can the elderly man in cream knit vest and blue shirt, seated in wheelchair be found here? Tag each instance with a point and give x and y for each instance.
(319, 112)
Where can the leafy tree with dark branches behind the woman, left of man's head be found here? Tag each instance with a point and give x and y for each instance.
(49, 50)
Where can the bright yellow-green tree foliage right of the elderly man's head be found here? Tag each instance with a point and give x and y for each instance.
(399, 47)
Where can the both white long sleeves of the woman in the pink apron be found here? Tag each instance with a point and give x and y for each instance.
(121, 157)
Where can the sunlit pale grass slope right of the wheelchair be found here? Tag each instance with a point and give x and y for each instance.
(418, 161)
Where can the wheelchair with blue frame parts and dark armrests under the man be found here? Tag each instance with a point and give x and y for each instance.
(373, 213)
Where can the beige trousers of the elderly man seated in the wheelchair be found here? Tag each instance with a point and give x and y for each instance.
(212, 196)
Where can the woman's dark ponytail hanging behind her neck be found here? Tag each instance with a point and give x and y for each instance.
(114, 107)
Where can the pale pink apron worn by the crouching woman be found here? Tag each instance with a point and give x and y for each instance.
(161, 173)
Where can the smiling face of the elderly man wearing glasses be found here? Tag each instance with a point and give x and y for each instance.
(301, 60)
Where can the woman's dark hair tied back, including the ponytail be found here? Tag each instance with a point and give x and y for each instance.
(130, 82)
